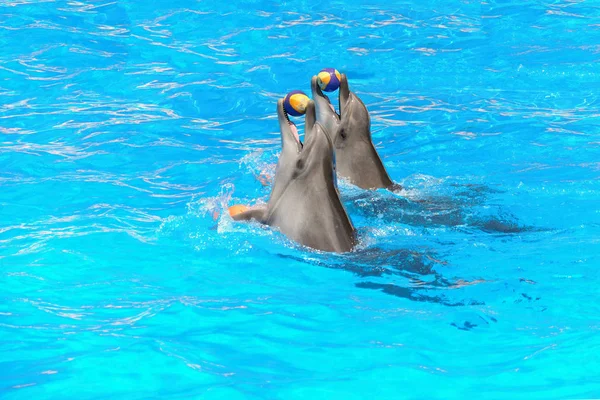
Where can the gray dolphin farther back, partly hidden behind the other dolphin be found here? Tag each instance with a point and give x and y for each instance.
(356, 157)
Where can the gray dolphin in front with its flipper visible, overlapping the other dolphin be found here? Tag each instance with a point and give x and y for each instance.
(304, 202)
